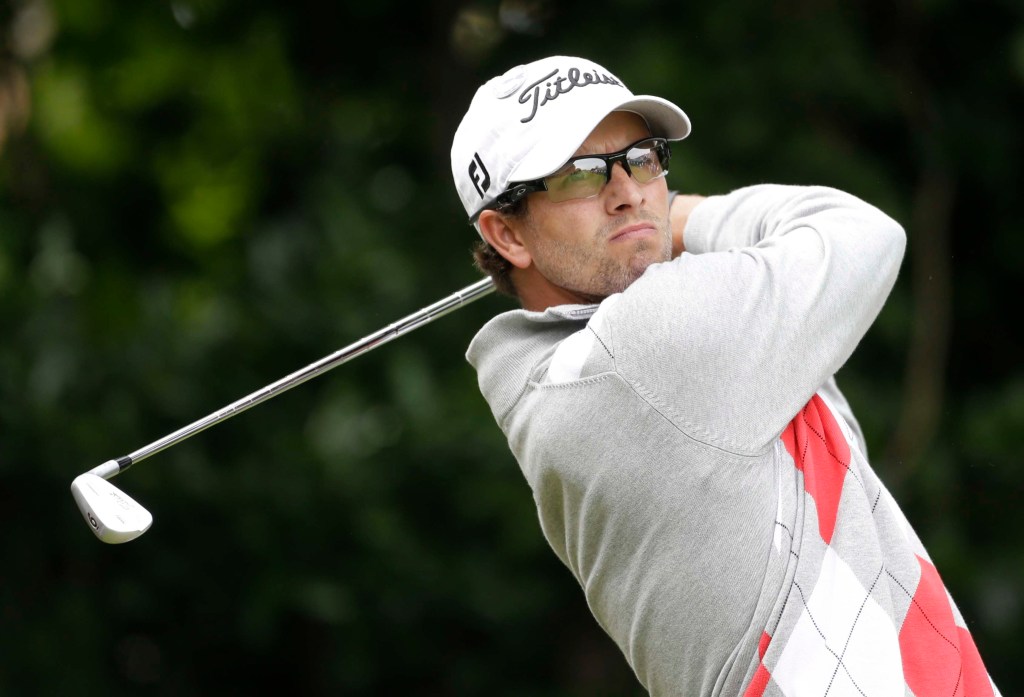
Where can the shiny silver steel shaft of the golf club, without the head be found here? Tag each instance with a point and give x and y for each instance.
(405, 326)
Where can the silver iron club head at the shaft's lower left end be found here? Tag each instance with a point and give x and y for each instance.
(113, 516)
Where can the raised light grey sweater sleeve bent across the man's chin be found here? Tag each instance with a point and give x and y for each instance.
(777, 288)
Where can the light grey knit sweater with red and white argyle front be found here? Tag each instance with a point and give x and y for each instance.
(699, 472)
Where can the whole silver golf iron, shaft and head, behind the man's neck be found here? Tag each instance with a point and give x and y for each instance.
(115, 517)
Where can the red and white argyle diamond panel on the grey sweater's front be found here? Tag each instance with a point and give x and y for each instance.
(887, 627)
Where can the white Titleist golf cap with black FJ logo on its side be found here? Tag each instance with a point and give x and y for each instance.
(526, 124)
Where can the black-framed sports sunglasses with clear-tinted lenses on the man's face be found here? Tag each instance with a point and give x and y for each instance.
(584, 178)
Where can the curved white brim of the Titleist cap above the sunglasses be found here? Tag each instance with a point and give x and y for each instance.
(664, 118)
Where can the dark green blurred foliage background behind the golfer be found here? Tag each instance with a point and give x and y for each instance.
(199, 197)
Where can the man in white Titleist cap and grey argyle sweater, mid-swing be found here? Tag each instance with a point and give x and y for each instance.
(668, 393)
